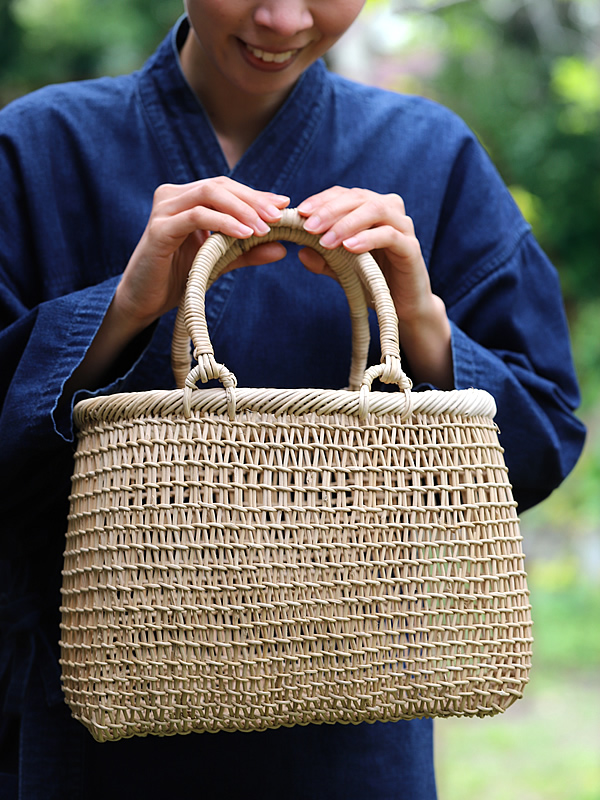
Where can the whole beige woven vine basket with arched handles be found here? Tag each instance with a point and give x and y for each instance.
(242, 559)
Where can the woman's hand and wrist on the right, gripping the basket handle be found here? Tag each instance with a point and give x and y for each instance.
(364, 221)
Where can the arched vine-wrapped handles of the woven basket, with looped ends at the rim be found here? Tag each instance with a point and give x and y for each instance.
(352, 271)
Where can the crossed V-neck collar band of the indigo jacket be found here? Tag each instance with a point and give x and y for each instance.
(188, 141)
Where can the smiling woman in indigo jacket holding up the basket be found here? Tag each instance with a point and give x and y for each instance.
(108, 189)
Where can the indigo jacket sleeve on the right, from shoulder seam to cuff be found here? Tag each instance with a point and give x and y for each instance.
(509, 330)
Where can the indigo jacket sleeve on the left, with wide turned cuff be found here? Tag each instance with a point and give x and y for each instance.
(48, 318)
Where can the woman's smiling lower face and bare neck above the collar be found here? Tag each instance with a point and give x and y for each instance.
(242, 59)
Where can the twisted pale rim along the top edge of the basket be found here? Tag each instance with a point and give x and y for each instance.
(282, 402)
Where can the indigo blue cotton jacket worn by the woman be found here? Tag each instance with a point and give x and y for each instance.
(78, 167)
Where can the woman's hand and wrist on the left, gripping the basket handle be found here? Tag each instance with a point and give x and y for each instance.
(180, 221)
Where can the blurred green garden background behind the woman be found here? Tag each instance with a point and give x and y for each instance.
(525, 74)
